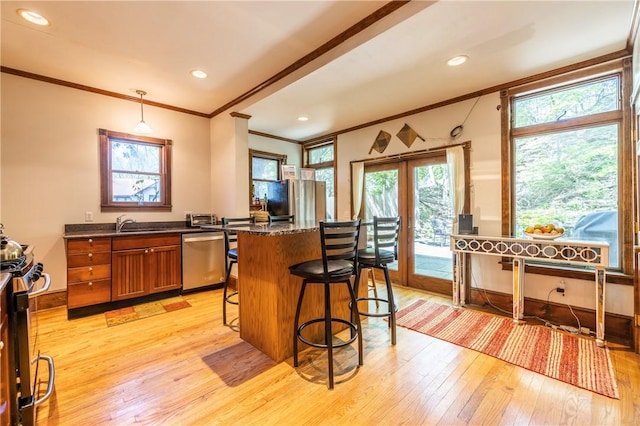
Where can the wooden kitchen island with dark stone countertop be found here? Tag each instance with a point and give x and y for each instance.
(268, 293)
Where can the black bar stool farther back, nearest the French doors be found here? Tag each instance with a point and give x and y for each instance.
(383, 252)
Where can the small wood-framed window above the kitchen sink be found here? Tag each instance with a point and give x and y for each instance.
(135, 172)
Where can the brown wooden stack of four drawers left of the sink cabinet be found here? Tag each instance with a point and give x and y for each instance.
(88, 271)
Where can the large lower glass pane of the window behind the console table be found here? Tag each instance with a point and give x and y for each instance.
(570, 179)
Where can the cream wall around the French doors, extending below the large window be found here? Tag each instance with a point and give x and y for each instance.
(482, 128)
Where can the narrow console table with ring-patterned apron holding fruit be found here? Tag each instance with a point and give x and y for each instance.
(581, 253)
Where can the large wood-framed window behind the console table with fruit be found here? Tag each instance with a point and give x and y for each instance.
(567, 160)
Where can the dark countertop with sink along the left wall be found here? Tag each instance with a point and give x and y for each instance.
(96, 230)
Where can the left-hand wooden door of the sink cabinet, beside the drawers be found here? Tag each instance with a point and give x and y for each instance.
(128, 274)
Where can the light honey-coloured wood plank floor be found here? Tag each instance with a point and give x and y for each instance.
(185, 368)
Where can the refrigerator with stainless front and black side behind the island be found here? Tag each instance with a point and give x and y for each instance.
(304, 199)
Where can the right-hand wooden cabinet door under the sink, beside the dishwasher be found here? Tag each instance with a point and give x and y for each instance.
(164, 268)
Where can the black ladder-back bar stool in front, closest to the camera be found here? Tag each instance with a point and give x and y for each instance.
(339, 242)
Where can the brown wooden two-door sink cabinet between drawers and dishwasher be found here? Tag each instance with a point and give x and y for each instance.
(143, 265)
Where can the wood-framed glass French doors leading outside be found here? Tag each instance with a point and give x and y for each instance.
(419, 192)
